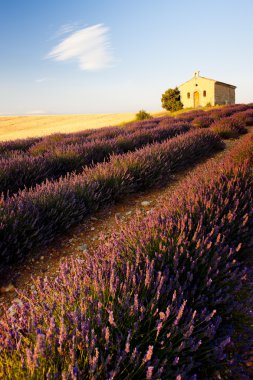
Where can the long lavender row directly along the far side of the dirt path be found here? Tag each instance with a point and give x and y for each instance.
(33, 218)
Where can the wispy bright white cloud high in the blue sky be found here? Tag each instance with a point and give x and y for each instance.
(90, 47)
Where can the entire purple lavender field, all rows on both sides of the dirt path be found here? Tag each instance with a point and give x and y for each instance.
(170, 297)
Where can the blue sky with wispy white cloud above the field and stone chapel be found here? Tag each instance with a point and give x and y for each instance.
(112, 56)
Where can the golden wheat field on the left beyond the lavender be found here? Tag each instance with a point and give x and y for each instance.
(19, 127)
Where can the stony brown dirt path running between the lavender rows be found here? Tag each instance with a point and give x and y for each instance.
(77, 240)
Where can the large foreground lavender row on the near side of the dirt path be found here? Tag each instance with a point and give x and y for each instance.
(159, 301)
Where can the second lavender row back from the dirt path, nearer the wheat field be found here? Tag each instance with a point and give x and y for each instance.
(26, 171)
